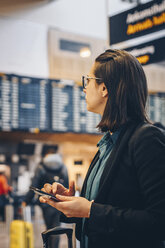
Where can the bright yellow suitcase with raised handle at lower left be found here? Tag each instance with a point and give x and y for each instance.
(21, 233)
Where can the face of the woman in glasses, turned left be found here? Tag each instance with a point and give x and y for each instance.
(96, 94)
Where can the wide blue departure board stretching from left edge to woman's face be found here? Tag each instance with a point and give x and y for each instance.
(44, 105)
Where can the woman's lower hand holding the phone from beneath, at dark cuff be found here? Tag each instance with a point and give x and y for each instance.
(71, 206)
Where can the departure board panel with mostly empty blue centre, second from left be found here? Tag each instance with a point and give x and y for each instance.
(34, 104)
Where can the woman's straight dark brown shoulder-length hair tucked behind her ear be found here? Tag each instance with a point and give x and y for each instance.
(126, 83)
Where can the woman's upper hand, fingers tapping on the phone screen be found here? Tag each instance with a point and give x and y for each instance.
(57, 188)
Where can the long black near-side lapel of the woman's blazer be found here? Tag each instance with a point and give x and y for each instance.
(114, 160)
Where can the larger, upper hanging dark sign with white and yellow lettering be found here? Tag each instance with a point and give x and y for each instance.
(136, 22)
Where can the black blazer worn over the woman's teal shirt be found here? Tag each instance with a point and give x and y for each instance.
(129, 211)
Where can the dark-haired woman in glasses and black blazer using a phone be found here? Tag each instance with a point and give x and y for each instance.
(122, 203)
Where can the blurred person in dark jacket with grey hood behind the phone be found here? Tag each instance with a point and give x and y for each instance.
(52, 169)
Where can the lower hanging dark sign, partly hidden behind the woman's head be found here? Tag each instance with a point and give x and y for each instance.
(149, 52)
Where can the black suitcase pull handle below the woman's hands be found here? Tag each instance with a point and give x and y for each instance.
(57, 231)
